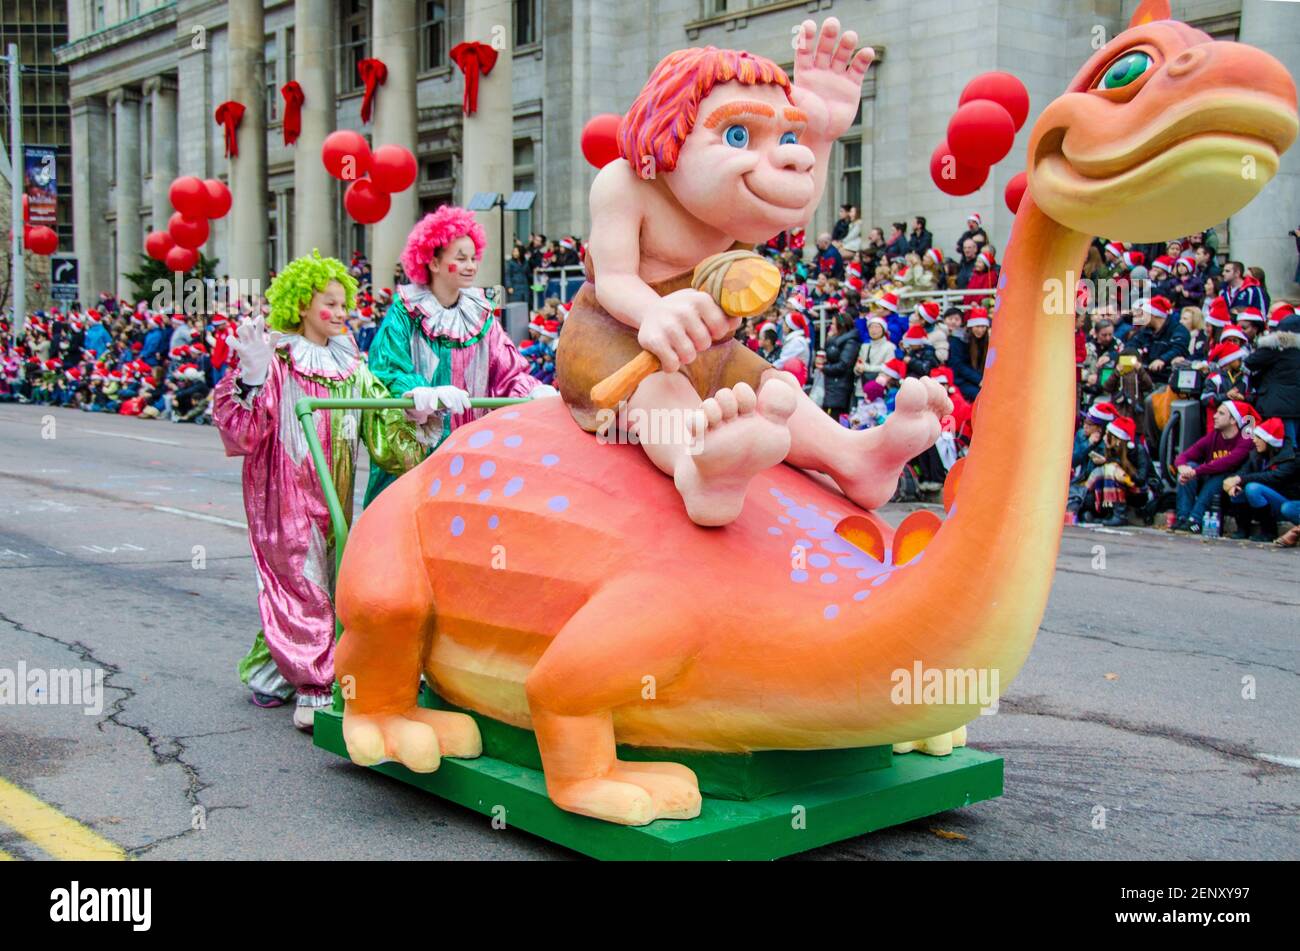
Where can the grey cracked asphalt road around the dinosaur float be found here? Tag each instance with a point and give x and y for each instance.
(1156, 716)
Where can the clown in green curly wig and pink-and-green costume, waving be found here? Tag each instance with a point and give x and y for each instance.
(301, 350)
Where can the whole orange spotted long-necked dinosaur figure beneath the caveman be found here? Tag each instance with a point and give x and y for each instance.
(547, 580)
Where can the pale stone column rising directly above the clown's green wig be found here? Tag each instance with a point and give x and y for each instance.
(315, 193)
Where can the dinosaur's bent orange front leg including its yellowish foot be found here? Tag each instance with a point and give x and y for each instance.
(601, 661)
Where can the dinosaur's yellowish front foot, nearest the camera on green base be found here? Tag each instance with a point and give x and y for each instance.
(631, 793)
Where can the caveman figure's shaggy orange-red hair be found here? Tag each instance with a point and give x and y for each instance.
(665, 114)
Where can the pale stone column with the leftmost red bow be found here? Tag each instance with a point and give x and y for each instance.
(246, 64)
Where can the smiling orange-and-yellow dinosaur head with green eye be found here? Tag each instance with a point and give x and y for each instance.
(1163, 132)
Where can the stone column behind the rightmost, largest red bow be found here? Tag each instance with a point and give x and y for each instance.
(488, 157)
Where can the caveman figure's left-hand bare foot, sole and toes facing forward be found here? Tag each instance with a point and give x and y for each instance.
(742, 436)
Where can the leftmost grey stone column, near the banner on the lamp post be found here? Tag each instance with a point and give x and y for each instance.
(90, 199)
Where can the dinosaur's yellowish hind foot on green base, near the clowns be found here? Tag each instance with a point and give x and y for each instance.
(418, 739)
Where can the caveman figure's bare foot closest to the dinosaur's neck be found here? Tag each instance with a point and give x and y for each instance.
(869, 471)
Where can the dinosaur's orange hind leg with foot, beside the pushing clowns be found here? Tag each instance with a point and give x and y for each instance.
(387, 606)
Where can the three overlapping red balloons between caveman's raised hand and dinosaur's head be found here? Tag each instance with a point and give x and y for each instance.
(991, 110)
